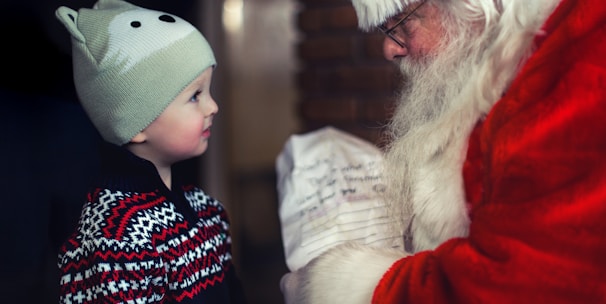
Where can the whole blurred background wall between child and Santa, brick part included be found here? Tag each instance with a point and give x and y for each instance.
(294, 66)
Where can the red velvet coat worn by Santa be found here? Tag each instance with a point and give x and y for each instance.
(536, 178)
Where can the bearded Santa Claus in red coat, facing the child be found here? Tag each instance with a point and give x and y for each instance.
(495, 164)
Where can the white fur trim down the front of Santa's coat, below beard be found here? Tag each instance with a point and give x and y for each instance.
(438, 198)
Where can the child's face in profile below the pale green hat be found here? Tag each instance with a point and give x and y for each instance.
(183, 129)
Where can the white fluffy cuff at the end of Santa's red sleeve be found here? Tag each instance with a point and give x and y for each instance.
(347, 273)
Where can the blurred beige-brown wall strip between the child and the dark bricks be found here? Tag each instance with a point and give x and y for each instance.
(259, 112)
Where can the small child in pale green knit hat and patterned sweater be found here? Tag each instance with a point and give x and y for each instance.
(145, 235)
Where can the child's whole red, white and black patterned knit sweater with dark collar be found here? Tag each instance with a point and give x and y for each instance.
(139, 242)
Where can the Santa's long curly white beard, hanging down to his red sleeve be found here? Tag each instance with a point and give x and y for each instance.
(446, 95)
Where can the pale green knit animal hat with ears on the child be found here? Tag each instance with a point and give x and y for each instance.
(130, 63)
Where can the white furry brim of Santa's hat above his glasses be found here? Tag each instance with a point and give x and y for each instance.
(371, 13)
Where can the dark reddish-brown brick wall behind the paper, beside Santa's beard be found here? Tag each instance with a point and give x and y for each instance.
(343, 79)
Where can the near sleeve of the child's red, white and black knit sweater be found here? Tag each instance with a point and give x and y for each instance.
(110, 258)
